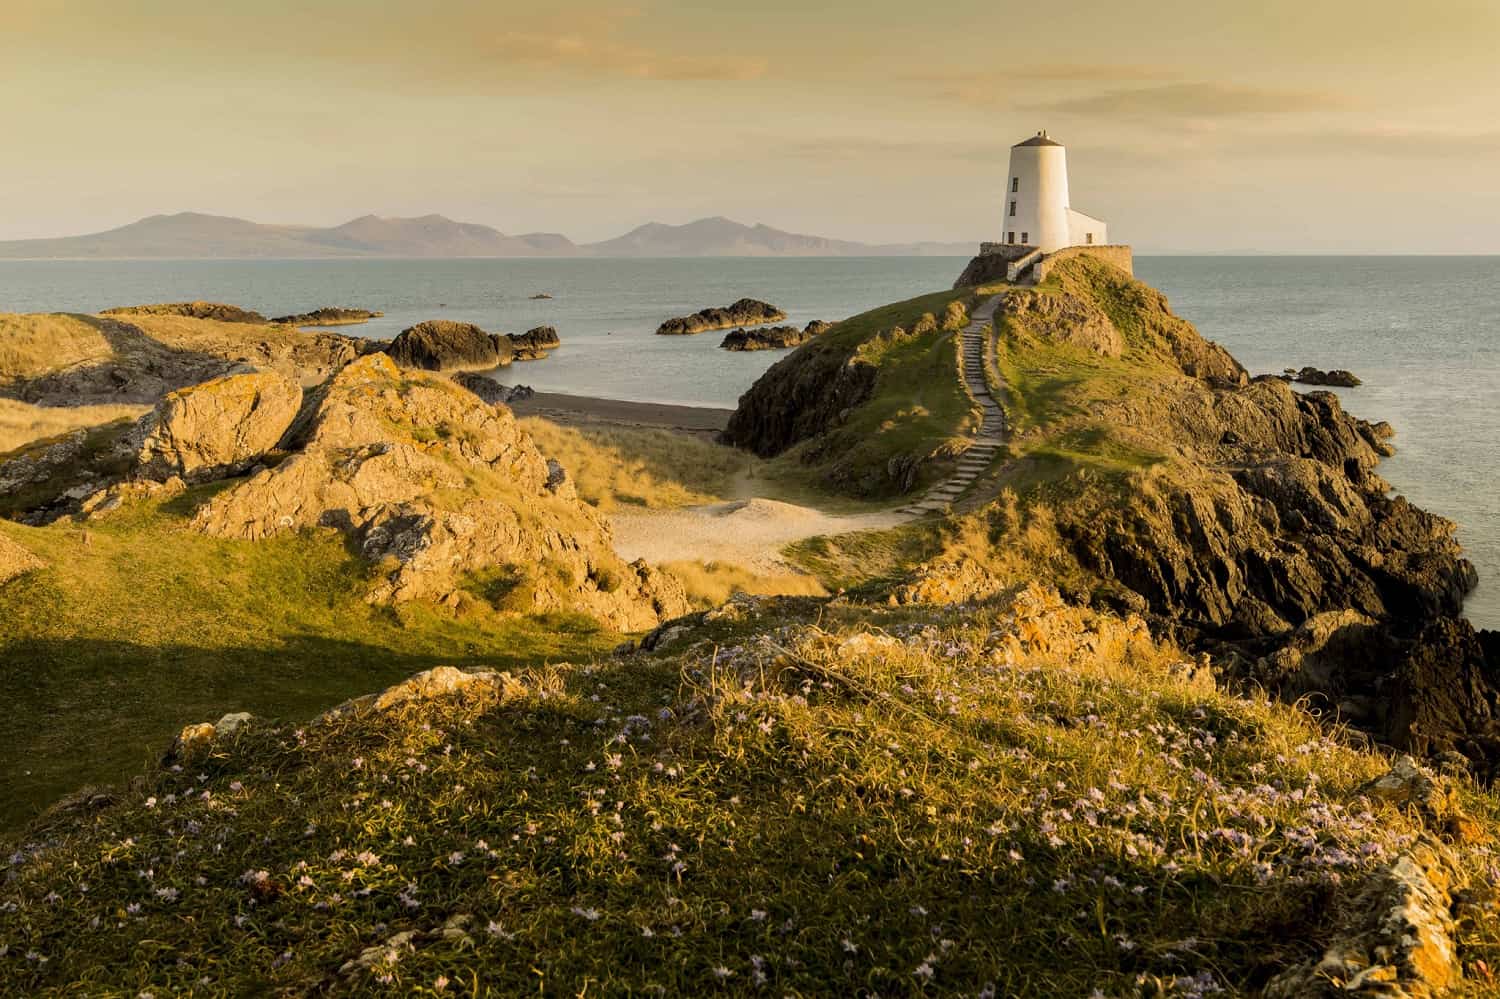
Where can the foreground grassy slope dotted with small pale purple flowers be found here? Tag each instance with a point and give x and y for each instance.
(961, 808)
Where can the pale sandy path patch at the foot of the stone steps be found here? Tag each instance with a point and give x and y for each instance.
(748, 533)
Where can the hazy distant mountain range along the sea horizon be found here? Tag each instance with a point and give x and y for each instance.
(191, 235)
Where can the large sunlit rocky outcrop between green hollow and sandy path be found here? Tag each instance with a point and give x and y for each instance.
(437, 490)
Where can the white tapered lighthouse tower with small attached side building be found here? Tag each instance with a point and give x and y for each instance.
(1037, 211)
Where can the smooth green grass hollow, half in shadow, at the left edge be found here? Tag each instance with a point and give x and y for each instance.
(140, 628)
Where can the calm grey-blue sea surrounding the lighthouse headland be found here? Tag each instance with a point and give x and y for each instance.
(1424, 334)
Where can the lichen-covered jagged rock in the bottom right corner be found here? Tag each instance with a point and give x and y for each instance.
(1394, 941)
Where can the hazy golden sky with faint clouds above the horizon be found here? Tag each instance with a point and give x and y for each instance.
(1192, 125)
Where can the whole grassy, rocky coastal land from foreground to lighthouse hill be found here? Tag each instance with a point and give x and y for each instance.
(1084, 676)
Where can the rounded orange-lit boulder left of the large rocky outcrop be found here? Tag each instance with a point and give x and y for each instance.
(218, 428)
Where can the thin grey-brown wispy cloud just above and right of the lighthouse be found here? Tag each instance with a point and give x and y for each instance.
(1196, 101)
